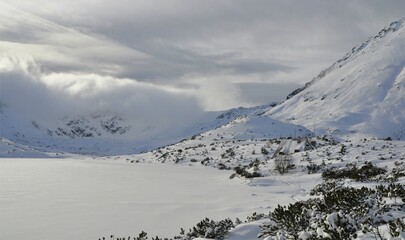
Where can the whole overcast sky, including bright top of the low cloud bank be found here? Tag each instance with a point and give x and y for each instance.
(212, 54)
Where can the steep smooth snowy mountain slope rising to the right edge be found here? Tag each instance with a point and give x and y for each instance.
(363, 92)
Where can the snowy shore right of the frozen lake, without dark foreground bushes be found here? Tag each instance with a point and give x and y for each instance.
(259, 157)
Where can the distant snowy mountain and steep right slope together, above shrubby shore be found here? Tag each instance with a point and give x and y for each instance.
(361, 93)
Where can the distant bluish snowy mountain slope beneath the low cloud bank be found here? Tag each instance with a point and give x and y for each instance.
(107, 133)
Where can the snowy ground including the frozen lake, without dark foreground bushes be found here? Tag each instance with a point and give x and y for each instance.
(87, 198)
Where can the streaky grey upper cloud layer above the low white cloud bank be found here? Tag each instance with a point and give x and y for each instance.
(172, 43)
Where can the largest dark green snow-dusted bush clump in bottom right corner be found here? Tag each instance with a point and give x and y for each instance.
(341, 214)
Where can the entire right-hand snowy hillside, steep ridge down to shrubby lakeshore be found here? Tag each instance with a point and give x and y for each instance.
(361, 95)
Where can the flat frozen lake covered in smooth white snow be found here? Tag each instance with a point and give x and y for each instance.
(88, 199)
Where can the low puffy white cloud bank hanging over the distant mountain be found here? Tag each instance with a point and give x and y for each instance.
(31, 94)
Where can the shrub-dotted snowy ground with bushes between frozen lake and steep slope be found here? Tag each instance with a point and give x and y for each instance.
(304, 172)
